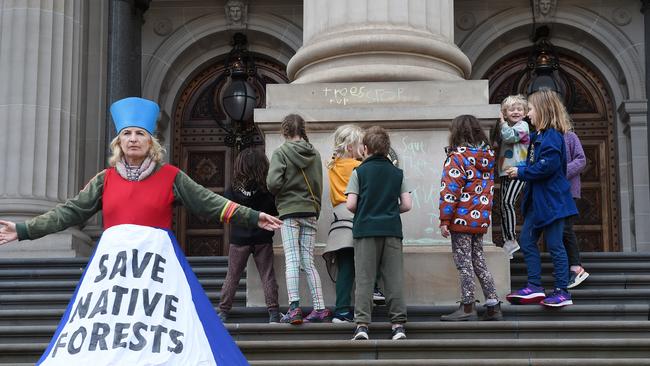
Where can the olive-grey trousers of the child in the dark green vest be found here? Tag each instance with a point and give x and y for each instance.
(383, 254)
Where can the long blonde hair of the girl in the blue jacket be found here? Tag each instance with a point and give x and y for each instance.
(549, 111)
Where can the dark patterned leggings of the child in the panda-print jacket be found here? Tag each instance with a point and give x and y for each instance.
(469, 259)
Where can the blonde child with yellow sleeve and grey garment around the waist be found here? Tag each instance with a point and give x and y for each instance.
(339, 253)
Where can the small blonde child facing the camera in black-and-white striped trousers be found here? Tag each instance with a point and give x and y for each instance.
(513, 137)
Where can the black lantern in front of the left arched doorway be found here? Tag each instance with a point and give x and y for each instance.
(238, 97)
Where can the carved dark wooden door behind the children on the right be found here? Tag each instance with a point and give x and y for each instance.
(597, 227)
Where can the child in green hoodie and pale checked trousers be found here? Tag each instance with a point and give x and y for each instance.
(295, 178)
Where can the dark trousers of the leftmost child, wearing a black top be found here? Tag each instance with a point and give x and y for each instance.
(237, 259)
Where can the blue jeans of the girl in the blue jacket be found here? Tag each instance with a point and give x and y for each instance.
(553, 238)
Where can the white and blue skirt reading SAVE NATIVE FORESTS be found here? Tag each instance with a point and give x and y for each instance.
(139, 303)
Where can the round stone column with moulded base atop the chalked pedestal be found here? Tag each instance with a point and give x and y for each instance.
(378, 40)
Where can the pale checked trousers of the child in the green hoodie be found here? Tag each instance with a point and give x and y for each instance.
(298, 240)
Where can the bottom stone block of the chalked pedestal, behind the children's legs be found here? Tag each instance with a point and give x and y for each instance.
(430, 277)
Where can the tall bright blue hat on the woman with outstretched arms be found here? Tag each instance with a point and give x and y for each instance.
(135, 112)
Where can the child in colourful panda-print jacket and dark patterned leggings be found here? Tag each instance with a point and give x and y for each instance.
(465, 210)
